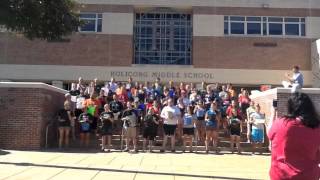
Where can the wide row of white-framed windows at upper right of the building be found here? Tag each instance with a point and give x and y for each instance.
(274, 26)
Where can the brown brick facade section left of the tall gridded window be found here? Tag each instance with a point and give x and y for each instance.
(83, 50)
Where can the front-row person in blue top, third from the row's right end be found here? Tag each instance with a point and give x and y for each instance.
(212, 119)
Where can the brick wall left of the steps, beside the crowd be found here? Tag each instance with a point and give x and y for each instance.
(25, 112)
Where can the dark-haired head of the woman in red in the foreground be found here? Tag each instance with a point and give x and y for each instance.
(301, 106)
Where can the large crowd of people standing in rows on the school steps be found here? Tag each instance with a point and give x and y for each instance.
(183, 111)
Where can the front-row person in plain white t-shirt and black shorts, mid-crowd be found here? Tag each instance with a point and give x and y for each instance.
(171, 115)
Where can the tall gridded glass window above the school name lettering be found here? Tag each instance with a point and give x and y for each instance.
(163, 38)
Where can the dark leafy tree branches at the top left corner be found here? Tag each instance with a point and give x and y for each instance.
(43, 19)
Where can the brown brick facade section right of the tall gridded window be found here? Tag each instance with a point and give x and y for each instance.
(241, 53)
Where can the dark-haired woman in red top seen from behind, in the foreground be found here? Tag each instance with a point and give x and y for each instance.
(295, 141)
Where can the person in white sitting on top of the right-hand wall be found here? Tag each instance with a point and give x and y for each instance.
(295, 81)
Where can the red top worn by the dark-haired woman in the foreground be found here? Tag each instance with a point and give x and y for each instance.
(295, 150)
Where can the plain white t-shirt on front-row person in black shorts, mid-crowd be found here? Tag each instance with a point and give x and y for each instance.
(170, 114)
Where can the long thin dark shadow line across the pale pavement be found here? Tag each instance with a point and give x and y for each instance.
(120, 170)
